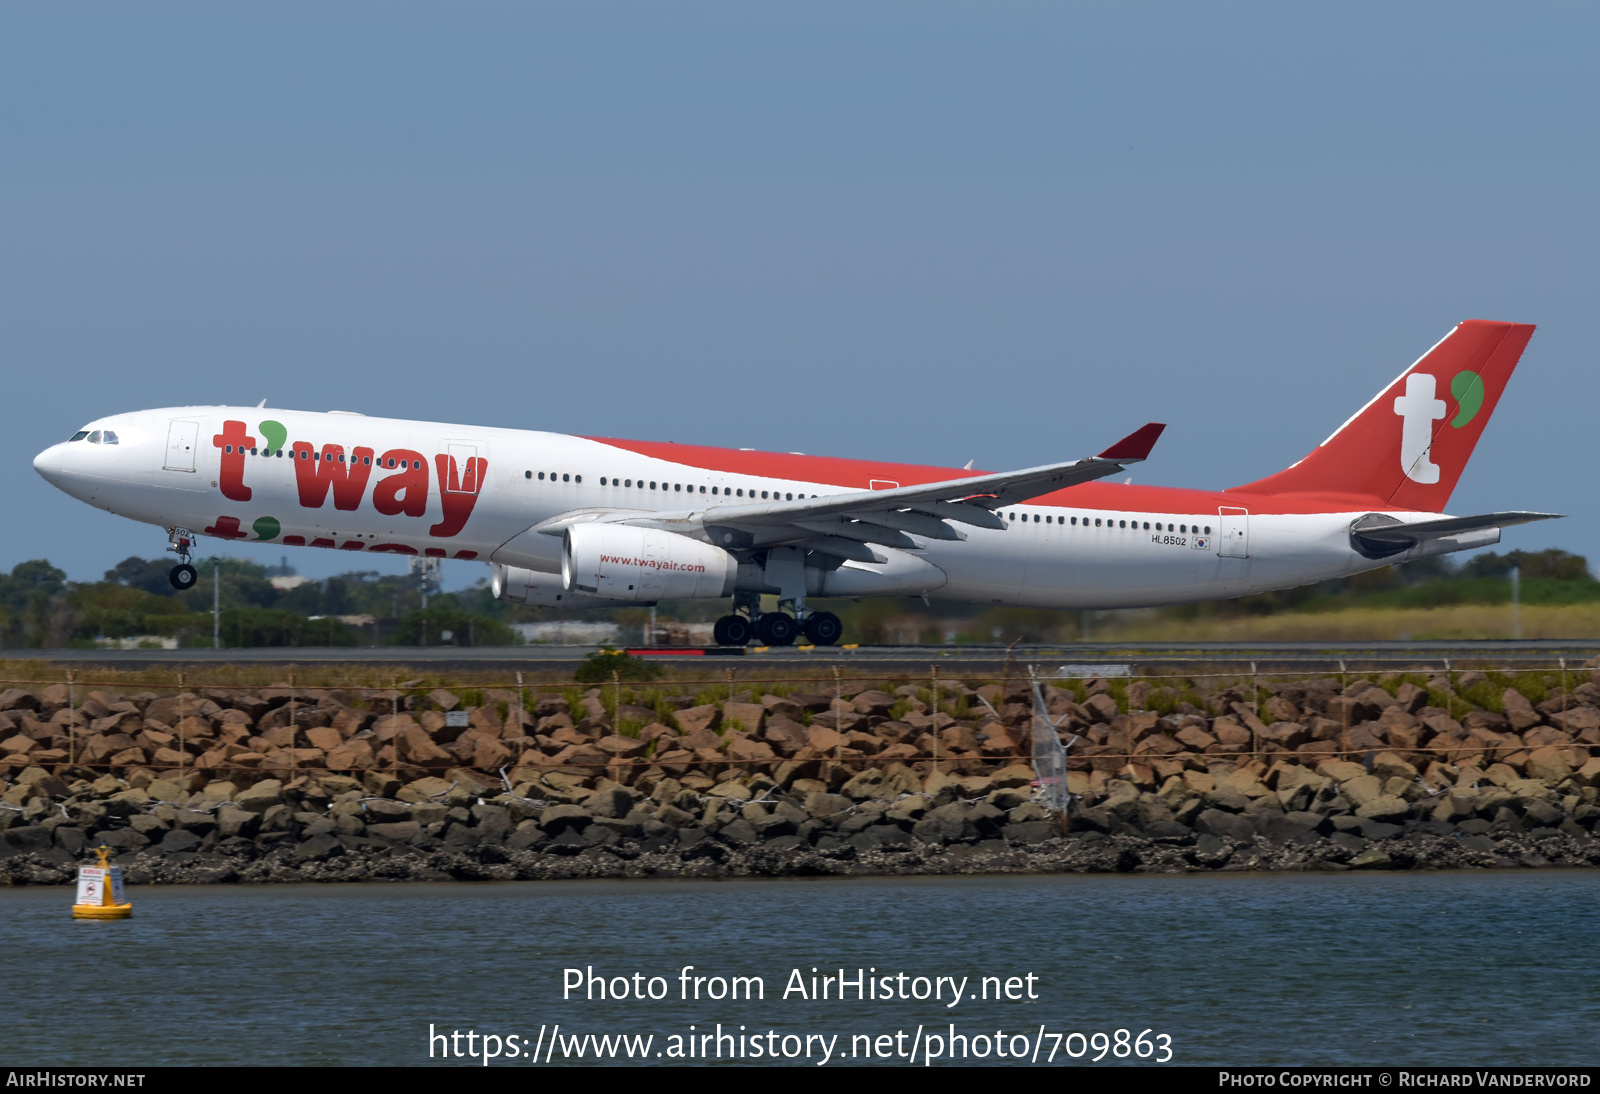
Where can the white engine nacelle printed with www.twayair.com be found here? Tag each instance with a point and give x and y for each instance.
(644, 564)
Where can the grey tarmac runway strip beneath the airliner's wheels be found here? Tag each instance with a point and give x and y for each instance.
(1079, 660)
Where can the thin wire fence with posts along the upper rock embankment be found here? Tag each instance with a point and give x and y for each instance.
(206, 733)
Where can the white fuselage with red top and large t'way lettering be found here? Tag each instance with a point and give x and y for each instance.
(369, 485)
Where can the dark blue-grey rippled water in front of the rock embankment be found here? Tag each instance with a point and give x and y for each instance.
(1386, 968)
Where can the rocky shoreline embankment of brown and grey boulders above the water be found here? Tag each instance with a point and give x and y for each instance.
(330, 786)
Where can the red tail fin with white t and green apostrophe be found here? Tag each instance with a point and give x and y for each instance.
(1410, 445)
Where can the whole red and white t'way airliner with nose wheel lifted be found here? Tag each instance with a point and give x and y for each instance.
(591, 522)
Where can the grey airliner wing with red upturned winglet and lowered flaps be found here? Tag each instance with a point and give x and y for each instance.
(842, 525)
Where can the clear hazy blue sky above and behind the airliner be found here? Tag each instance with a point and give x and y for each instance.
(1006, 233)
